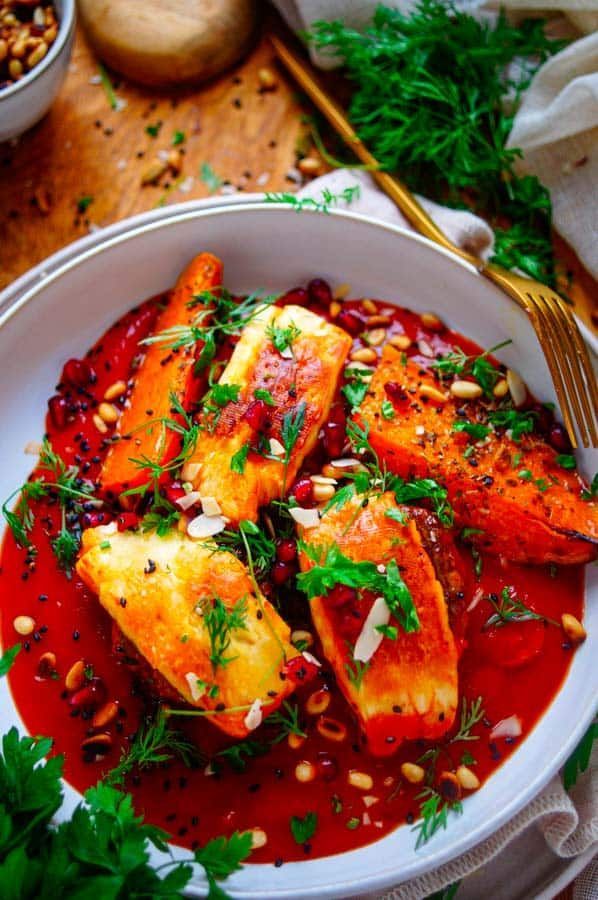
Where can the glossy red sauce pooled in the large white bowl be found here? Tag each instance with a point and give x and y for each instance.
(517, 669)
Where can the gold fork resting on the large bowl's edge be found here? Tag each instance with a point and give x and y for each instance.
(555, 326)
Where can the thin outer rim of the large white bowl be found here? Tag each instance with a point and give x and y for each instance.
(386, 875)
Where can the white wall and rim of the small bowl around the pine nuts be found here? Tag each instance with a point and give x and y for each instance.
(26, 101)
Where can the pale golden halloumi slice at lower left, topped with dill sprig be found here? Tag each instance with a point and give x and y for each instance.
(193, 613)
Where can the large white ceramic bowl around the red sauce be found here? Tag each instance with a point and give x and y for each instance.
(274, 248)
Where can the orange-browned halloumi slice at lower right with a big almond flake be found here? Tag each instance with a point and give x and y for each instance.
(409, 688)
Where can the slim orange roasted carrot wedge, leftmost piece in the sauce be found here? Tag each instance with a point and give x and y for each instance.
(163, 373)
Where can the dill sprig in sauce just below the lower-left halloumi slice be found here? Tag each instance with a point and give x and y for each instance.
(154, 743)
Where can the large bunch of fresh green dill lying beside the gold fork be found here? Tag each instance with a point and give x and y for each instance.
(435, 94)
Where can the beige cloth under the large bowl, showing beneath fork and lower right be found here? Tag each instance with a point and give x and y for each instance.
(569, 822)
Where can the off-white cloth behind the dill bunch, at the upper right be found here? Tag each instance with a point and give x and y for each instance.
(557, 124)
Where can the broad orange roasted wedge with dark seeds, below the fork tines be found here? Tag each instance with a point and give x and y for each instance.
(511, 495)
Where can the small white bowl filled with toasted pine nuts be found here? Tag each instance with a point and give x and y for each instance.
(36, 74)
